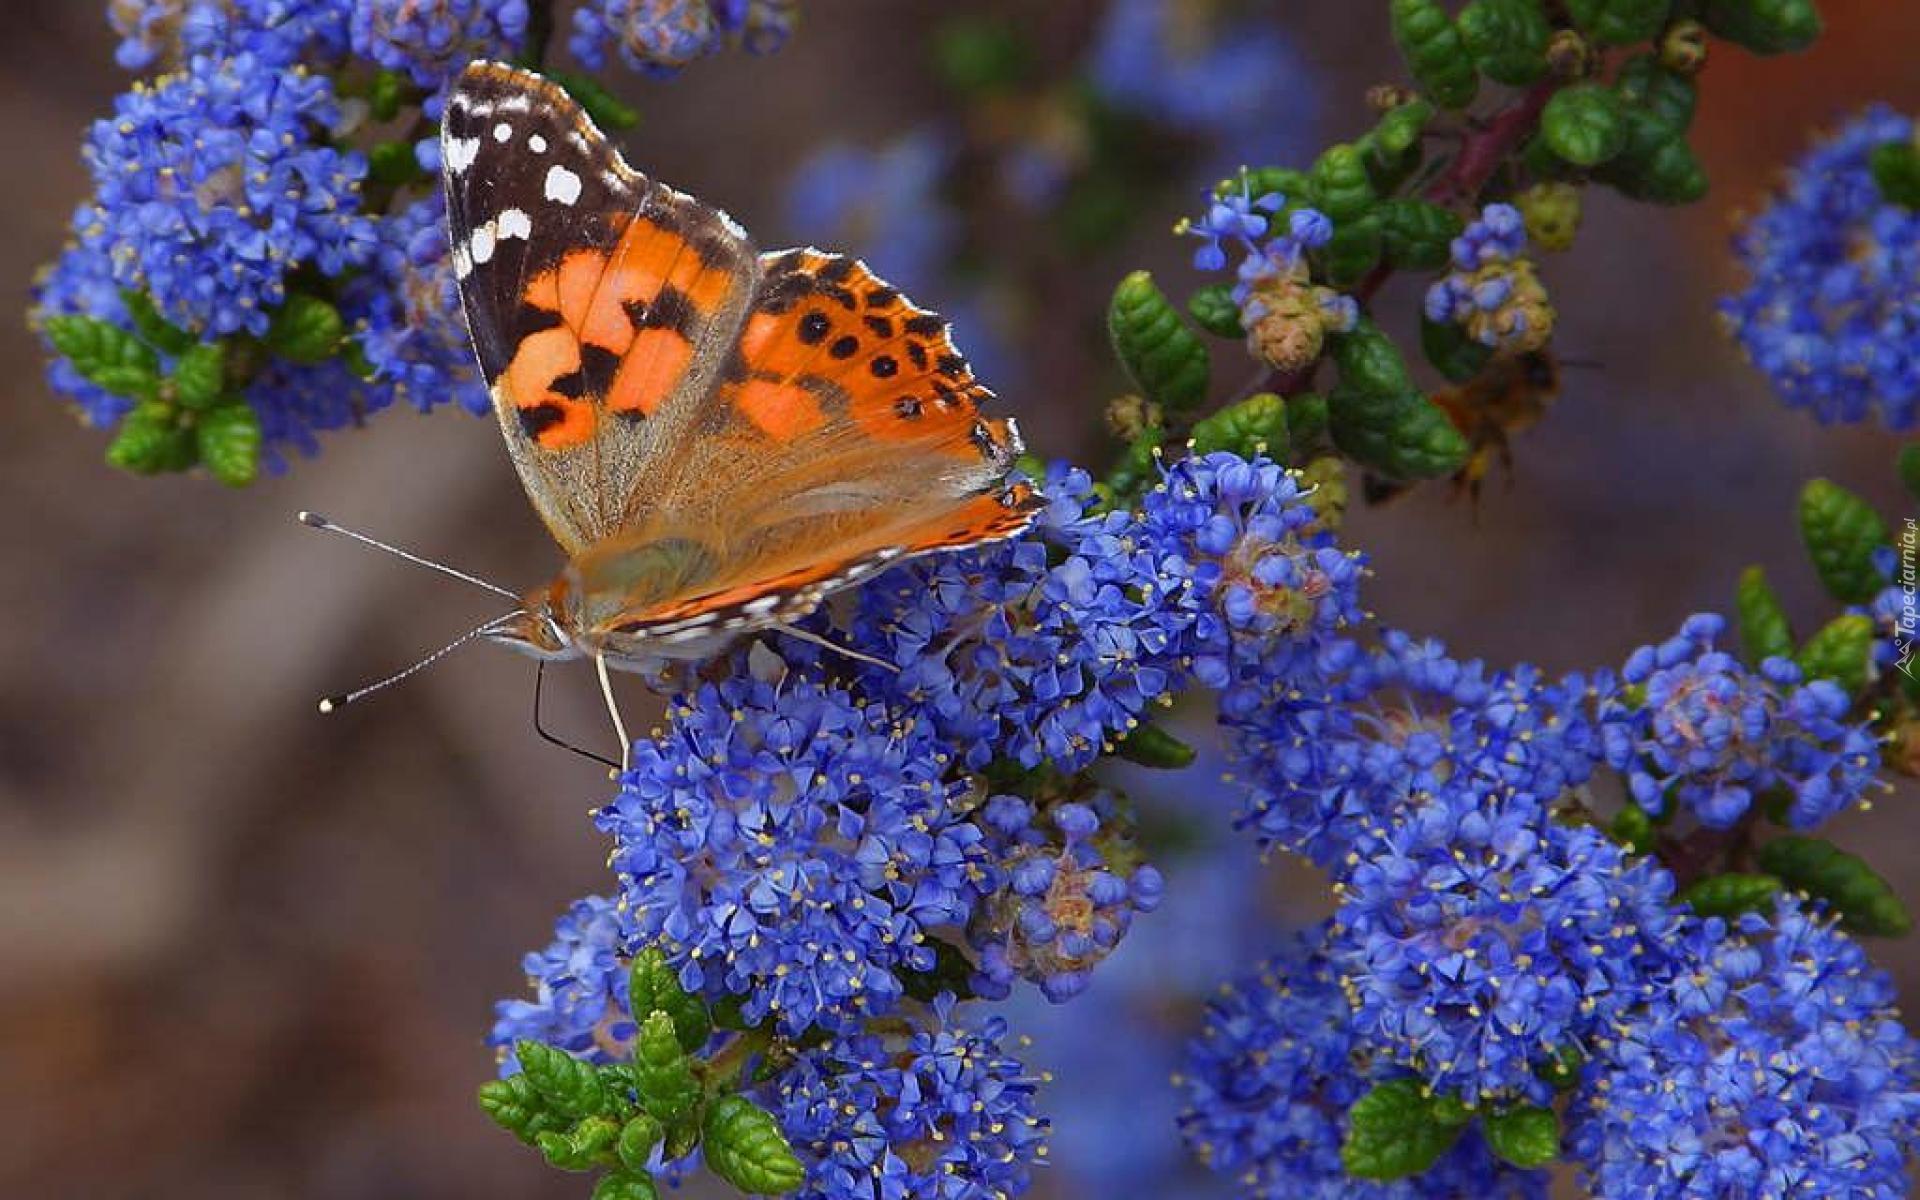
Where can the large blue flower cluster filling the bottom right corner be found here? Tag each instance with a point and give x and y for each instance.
(1773, 1065)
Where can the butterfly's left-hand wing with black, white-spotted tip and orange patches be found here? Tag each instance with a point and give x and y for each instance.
(602, 304)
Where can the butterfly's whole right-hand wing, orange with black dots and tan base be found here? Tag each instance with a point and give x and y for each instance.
(846, 437)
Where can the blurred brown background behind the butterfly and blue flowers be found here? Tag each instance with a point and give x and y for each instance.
(252, 951)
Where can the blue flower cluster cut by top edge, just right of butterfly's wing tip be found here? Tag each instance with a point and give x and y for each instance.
(660, 37)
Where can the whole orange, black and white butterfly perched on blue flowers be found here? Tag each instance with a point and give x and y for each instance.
(717, 437)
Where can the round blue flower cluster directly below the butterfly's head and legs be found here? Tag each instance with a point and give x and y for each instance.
(794, 846)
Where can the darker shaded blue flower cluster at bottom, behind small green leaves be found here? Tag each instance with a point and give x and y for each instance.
(1272, 1076)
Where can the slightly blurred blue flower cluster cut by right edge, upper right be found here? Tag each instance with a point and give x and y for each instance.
(1833, 306)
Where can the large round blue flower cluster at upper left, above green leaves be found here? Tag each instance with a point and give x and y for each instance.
(214, 185)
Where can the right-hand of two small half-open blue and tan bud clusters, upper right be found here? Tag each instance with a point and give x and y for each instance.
(1493, 289)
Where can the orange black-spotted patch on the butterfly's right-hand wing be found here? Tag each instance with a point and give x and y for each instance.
(828, 339)
